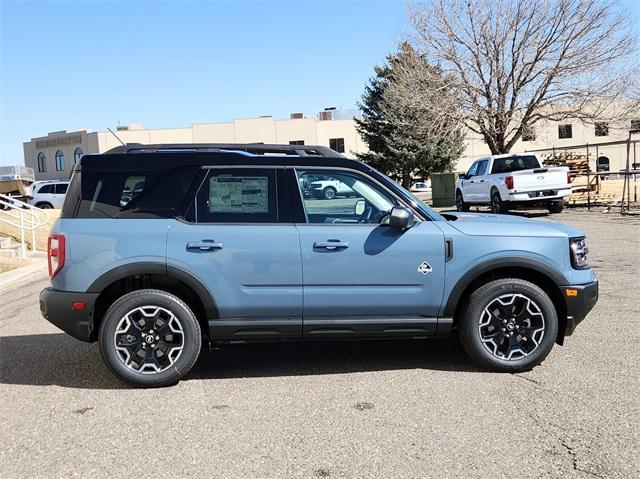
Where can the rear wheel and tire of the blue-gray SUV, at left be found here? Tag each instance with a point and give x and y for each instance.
(190, 338)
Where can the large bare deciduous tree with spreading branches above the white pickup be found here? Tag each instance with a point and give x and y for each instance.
(518, 62)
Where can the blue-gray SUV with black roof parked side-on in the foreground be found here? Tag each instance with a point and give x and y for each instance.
(161, 248)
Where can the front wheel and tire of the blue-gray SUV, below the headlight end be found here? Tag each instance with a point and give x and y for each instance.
(492, 343)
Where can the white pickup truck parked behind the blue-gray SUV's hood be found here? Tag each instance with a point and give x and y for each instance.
(509, 181)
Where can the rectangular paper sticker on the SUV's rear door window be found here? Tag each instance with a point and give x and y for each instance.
(247, 194)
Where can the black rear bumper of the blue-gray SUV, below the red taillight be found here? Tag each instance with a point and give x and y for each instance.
(56, 307)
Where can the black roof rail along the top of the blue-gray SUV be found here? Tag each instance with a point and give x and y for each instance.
(252, 148)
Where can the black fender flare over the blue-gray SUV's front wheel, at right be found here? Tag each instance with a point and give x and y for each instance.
(478, 270)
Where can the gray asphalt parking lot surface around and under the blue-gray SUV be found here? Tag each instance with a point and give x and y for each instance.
(370, 409)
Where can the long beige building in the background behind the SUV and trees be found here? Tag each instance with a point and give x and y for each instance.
(53, 156)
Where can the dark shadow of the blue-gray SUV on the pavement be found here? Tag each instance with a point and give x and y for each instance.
(66, 362)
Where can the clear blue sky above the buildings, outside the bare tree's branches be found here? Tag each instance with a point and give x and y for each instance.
(88, 64)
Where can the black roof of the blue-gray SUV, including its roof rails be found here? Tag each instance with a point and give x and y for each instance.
(165, 157)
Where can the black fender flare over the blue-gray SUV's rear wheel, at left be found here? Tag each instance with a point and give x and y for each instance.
(149, 267)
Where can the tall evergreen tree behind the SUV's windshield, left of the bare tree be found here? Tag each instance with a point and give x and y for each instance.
(403, 140)
